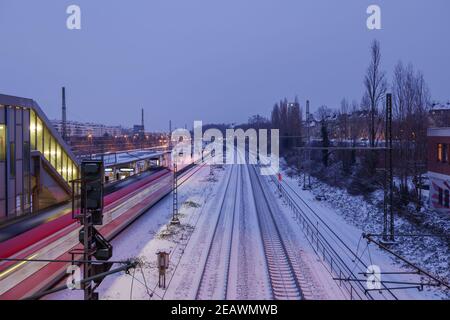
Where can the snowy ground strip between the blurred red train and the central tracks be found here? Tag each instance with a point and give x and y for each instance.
(151, 233)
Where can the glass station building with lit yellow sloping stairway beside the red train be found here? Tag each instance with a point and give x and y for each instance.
(36, 165)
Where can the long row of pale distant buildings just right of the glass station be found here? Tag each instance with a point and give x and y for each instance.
(82, 129)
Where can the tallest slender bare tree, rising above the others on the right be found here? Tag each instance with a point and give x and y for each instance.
(375, 84)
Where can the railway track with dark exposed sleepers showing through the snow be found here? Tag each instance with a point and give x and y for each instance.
(282, 267)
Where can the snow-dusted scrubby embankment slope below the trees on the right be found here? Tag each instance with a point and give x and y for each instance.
(355, 213)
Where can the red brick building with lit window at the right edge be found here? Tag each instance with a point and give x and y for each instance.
(439, 168)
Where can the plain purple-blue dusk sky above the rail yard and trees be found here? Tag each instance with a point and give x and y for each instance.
(210, 60)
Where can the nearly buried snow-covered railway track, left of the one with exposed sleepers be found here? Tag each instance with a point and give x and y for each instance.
(213, 282)
